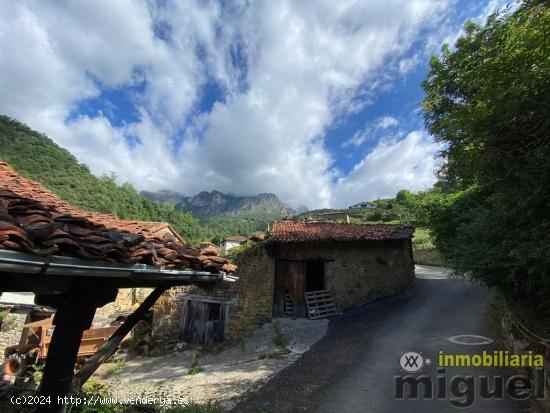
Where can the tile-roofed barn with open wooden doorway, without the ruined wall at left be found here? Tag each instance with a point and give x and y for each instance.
(350, 263)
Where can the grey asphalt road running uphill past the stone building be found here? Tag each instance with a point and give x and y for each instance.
(353, 368)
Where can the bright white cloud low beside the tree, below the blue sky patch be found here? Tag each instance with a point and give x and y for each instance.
(392, 165)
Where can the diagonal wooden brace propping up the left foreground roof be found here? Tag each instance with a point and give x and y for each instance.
(111, 345)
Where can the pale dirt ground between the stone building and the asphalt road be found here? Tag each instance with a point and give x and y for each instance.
(225, 377)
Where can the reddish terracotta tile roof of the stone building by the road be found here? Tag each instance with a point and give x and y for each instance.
(298, 231)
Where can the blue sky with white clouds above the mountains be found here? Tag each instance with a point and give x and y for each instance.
(315, 101)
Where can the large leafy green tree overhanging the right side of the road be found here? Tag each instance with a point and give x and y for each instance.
(487, 100)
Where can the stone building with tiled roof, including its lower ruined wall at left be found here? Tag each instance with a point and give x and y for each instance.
(351, 263)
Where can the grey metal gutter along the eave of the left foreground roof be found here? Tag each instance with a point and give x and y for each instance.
(19, 262)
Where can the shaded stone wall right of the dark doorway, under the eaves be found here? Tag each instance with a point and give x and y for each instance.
(357, 272)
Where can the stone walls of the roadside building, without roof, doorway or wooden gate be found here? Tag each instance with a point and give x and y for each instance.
(354, 272)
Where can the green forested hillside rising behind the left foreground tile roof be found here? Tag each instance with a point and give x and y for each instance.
(37, 157)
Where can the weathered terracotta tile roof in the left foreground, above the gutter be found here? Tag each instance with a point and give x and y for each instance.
(32, 219)
